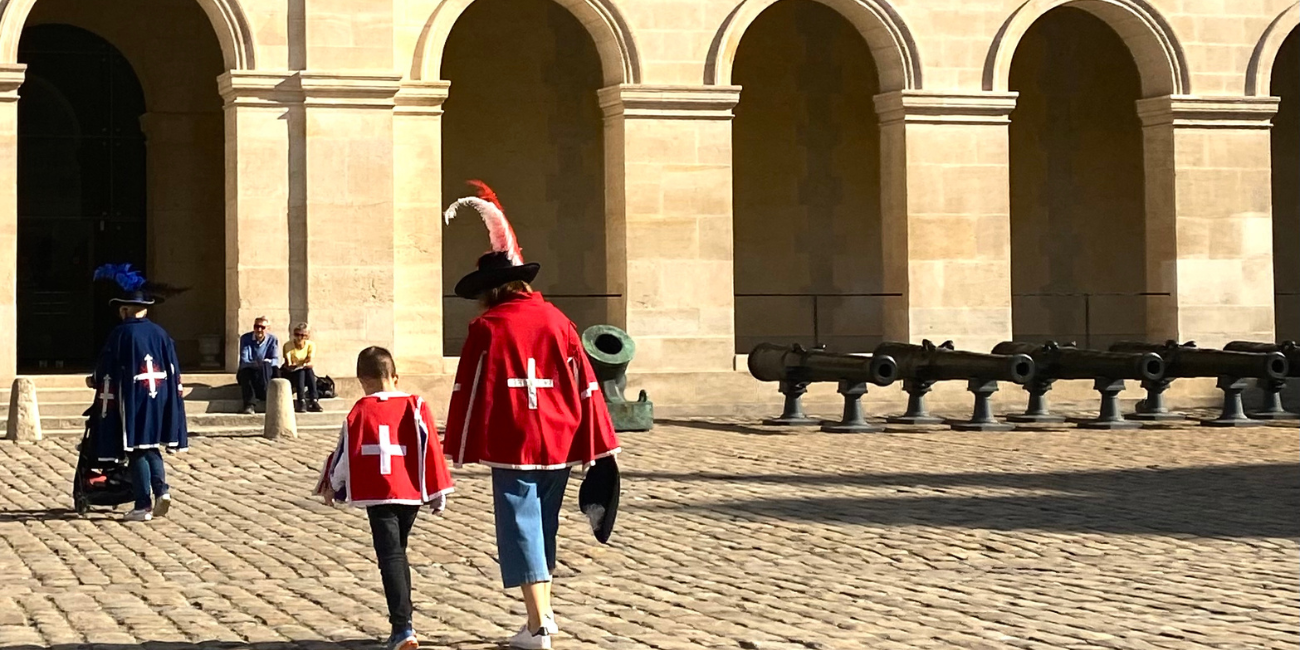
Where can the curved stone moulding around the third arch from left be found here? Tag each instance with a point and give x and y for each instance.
(892, 46)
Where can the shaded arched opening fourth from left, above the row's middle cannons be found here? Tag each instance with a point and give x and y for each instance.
(1078, 203)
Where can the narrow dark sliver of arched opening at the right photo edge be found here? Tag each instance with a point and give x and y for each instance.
(1286, 189)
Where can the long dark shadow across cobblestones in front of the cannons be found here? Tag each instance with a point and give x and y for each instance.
(1230, 502)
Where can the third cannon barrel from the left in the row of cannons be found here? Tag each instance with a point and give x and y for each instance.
(1054, 362)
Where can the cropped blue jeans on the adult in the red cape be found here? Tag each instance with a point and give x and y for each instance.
(527, 508)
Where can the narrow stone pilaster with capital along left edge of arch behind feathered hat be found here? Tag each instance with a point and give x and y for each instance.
(418, 227)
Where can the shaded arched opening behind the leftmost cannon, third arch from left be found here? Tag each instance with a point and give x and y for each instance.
(807, 148)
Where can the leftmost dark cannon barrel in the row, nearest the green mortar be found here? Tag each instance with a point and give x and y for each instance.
(769, 362)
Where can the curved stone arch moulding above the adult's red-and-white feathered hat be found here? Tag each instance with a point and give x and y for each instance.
(621, 62)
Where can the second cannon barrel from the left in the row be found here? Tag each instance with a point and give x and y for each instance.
(930, 363)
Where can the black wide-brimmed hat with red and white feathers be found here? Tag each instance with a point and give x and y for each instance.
(505, 263)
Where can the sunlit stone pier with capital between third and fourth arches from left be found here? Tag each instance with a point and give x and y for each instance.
(947, 232)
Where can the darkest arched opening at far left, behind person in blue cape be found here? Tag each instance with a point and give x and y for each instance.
(120, 159)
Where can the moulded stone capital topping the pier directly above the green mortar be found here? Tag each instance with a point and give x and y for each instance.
(656, 102)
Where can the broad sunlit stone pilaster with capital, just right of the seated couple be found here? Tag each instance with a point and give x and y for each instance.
(349, 228)
